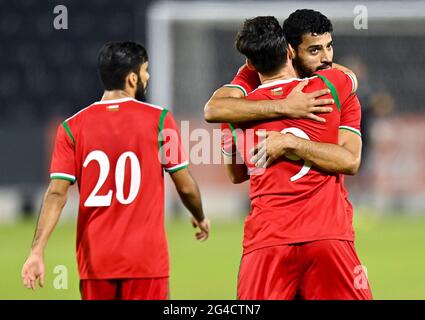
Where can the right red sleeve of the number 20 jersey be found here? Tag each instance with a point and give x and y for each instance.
(173, 155)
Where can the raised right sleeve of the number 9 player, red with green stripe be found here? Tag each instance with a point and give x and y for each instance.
(341, 82)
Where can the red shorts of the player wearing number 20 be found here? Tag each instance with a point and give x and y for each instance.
(125, 289)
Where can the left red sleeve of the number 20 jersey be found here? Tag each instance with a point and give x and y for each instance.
(63, 158)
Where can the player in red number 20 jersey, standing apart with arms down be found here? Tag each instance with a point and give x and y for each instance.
(115, 150)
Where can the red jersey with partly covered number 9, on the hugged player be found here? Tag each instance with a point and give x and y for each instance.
(291, 201)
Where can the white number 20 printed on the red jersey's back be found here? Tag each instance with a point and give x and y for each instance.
(95, 200)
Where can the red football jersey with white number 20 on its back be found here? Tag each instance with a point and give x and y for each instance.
(113, 149)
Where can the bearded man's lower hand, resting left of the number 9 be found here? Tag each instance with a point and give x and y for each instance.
(275, 145)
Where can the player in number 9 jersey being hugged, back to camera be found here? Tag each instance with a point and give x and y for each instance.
(298, 237)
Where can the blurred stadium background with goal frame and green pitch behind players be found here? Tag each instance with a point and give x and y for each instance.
(47, 75)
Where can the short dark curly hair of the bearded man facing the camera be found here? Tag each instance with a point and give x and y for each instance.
(305, 21)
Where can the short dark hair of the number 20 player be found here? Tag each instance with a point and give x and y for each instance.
(116, 60)
